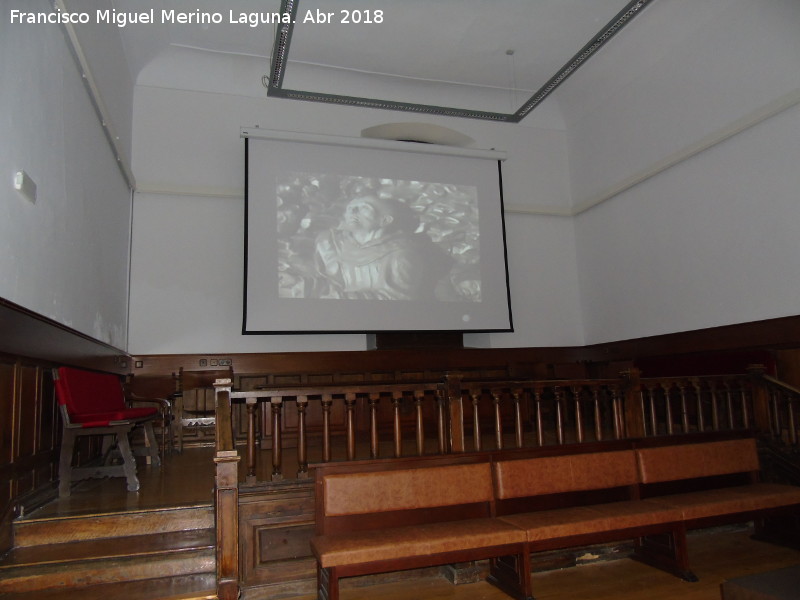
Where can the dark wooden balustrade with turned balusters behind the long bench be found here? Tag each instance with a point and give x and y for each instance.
(369, 421)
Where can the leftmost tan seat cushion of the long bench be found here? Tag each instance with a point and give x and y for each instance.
(401, 542)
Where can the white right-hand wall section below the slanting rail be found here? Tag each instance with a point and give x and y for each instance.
(712, 241)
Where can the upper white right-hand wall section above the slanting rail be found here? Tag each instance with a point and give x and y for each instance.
(684, 73)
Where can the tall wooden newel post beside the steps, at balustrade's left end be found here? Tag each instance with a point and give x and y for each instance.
(226, 496)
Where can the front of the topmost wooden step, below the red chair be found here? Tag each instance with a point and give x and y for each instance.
(58, 530)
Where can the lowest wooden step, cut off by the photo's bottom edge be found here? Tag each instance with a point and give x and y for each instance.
(184, 587)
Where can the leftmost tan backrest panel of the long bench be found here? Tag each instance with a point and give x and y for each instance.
(402, 495)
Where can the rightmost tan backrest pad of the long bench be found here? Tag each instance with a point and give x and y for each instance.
(695, 461)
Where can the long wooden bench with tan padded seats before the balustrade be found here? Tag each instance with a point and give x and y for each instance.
(505, 505)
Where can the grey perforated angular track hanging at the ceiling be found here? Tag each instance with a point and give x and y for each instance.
(280, 62)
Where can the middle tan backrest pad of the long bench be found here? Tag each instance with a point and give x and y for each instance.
(573, 473)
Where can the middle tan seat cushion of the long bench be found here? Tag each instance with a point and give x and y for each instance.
(565, 522)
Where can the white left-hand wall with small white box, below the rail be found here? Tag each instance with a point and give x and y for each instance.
(66, 256)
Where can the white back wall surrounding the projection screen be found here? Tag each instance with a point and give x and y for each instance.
(187, 252)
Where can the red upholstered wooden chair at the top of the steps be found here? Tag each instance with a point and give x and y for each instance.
(94, 404)
